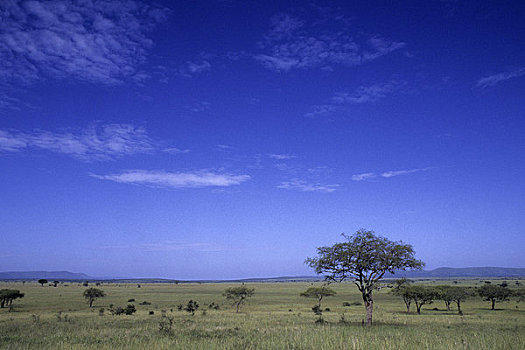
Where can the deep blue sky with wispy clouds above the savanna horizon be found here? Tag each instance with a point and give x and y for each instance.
(228, 139)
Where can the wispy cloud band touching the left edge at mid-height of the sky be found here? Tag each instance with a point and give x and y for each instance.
(102, 142)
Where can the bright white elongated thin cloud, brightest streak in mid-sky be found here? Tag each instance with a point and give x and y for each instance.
(175, 179)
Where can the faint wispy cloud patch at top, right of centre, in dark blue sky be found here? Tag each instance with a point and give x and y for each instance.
(295, 43)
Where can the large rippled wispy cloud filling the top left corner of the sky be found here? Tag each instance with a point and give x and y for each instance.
(95, 41)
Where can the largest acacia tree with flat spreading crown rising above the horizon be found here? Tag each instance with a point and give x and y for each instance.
(364, 259)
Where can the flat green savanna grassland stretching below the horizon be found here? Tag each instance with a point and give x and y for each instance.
(276, 317)
